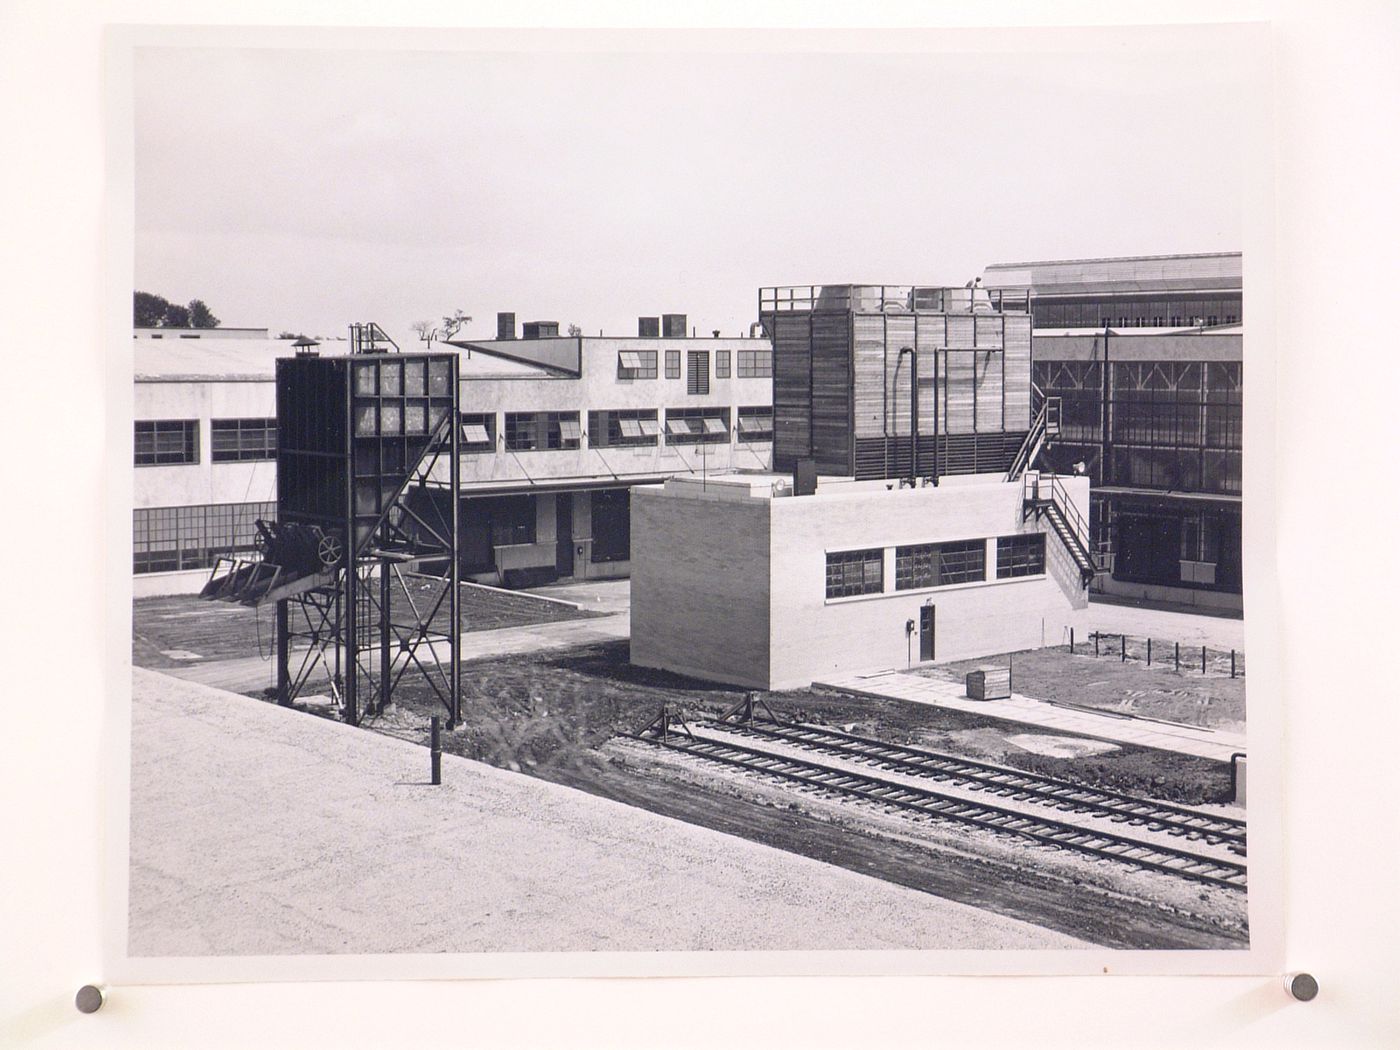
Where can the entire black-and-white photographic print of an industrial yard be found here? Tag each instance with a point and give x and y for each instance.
(596, 499)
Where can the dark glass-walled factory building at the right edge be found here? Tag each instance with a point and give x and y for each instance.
(1146, 358)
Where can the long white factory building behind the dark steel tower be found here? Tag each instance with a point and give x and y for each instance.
(556, 430)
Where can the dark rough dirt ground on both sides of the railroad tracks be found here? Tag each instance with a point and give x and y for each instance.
(559, 716)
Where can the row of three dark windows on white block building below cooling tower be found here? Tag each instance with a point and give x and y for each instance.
(850, 573)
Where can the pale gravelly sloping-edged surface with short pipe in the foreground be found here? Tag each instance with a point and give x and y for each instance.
(260, 831)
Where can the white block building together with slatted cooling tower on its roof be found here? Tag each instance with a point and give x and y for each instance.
(909, 530)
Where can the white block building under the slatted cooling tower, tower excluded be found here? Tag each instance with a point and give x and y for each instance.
(738, 580)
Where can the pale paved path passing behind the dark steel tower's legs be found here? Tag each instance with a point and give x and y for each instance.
(251, 674)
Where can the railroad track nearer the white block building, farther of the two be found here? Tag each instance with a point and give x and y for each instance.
(1002, 780)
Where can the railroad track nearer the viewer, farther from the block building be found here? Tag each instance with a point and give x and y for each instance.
(937, 806)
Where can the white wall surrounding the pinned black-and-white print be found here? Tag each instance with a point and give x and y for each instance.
(1336, 274)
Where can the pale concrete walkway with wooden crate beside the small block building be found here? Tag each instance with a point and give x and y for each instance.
(1207, 744)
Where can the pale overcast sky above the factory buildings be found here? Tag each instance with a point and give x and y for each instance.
(306, 190)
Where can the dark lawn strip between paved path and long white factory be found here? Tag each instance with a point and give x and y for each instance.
(195, 629)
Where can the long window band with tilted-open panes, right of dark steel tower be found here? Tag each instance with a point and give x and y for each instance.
(528, 432)
